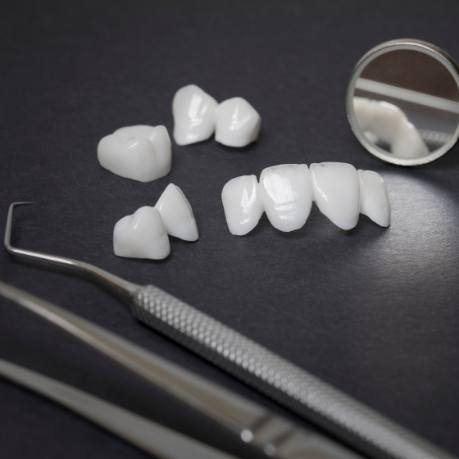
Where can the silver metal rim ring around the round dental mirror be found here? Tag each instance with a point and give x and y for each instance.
(392, 45)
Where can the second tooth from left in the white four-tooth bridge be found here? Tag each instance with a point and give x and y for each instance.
(286, 193)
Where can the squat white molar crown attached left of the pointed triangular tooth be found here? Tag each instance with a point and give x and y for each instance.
(141, 235)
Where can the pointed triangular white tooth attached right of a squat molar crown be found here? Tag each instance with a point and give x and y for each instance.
(177, 214)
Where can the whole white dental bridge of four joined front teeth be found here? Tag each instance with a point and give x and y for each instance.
(286, 193)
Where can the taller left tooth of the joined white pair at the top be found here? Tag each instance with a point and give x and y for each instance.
(194, 115)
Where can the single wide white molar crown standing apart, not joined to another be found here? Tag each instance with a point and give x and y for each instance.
(139, 152)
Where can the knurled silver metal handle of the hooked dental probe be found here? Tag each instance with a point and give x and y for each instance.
(276, 377)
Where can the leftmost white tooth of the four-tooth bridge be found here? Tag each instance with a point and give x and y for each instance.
(242, 204)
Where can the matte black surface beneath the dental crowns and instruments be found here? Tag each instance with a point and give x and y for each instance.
(374, 312)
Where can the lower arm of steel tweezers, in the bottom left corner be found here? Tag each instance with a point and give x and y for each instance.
(157, 440)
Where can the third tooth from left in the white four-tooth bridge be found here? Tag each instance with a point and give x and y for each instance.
(337, 192)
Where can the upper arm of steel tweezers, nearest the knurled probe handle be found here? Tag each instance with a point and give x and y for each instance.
(253, 424)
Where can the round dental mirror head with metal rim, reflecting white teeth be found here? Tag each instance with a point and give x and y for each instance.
(403, 102)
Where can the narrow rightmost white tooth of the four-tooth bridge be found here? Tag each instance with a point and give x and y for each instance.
(374, 202)
